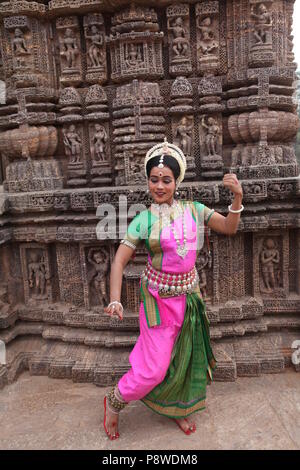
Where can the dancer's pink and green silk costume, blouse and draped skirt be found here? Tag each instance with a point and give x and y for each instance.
(172, 361)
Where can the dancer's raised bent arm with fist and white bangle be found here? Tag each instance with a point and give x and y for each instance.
(229, 224)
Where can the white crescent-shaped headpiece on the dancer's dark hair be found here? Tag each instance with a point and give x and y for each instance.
(165, 148)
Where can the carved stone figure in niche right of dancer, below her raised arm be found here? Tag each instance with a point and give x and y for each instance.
(269, 258)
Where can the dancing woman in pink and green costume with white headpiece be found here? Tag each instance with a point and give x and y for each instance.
(172, 361)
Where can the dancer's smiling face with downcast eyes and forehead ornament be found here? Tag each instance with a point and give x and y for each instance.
(162, 185)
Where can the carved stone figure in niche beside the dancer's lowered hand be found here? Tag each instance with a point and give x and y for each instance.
(99, 259)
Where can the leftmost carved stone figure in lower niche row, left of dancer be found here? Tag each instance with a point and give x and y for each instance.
(37, 275)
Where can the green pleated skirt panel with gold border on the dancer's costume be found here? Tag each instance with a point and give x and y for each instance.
(183, 390)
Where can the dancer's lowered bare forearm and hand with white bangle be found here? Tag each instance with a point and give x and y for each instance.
(121, 259)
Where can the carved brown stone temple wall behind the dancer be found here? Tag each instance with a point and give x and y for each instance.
(90, 86)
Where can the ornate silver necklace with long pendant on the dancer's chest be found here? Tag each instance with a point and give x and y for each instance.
(165, 212)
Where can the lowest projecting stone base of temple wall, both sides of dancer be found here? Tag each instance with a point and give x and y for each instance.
(103, 366)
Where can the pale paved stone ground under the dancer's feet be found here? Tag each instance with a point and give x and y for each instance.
(251, 413)
